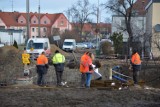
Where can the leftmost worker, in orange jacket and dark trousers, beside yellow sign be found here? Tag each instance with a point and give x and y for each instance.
(42, 66)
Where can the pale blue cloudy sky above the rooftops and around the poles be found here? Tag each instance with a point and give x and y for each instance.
(47, 6)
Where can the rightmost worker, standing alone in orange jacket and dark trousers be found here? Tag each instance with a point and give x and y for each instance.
(136, 66)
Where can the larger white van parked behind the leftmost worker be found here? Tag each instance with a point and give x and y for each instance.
(35, 46)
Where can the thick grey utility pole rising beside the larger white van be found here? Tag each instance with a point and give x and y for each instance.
(28, 23)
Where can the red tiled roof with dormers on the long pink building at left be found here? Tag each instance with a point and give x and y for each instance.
(10, 18)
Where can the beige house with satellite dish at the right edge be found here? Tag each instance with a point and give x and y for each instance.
(153, 26)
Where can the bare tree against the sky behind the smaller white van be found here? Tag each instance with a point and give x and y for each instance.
(80, 13)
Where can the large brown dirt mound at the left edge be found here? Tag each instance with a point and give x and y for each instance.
(11, 63)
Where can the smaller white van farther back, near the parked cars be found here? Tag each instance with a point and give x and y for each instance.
(69, 45)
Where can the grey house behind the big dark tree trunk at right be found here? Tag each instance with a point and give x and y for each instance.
(138, 21)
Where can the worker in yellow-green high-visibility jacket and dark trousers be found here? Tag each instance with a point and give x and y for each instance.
(58, 62)
